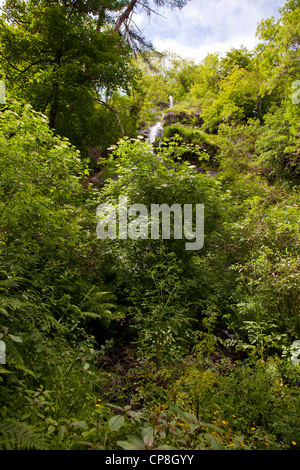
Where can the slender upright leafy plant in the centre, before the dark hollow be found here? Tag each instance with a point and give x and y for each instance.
(162, 323)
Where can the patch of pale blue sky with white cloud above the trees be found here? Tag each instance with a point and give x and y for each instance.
(207, 26)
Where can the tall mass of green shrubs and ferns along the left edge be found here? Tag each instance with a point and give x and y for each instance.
(45, 299)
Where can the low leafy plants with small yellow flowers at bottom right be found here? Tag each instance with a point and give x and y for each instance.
(241, 408)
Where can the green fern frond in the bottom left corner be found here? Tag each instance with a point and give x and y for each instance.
(20, 436)
